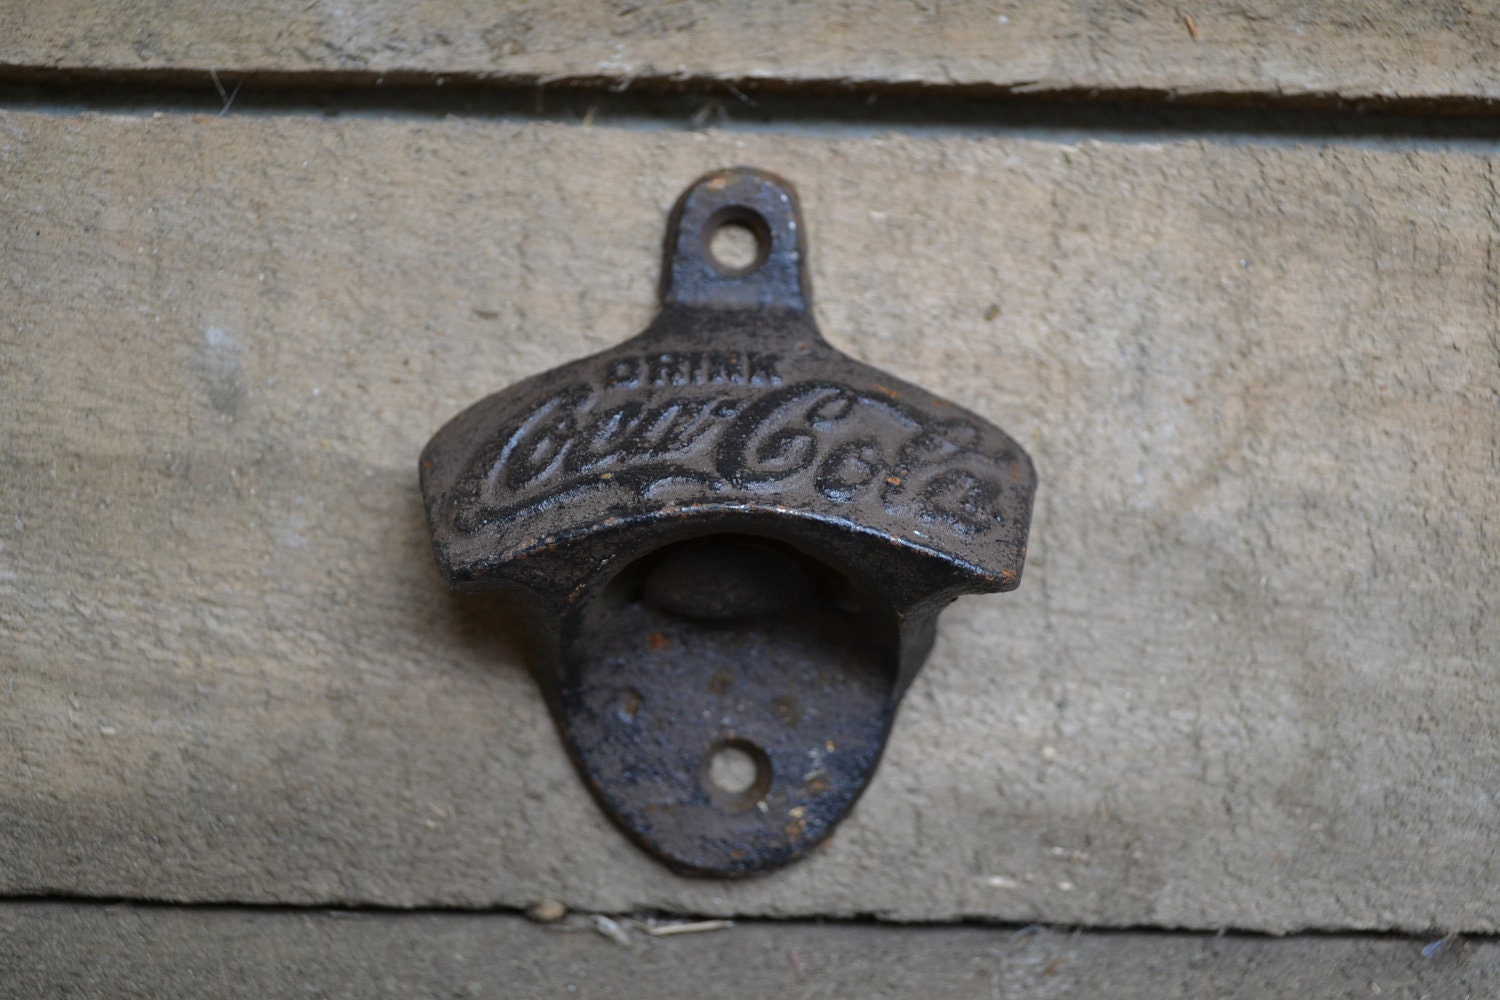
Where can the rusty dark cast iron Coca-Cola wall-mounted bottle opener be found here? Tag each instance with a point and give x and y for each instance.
(734, 542)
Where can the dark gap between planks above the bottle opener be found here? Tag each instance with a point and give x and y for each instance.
(805, 107)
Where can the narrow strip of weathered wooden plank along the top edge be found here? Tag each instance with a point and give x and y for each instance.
(1438, 50)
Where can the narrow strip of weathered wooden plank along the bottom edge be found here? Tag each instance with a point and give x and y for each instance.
(86, 951)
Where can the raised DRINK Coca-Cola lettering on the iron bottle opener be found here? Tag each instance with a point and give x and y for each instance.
(727, 430)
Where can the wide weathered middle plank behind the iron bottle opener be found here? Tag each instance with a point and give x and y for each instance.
(1249, 678)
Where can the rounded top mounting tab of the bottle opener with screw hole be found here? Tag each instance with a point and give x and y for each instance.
(737, 197)
